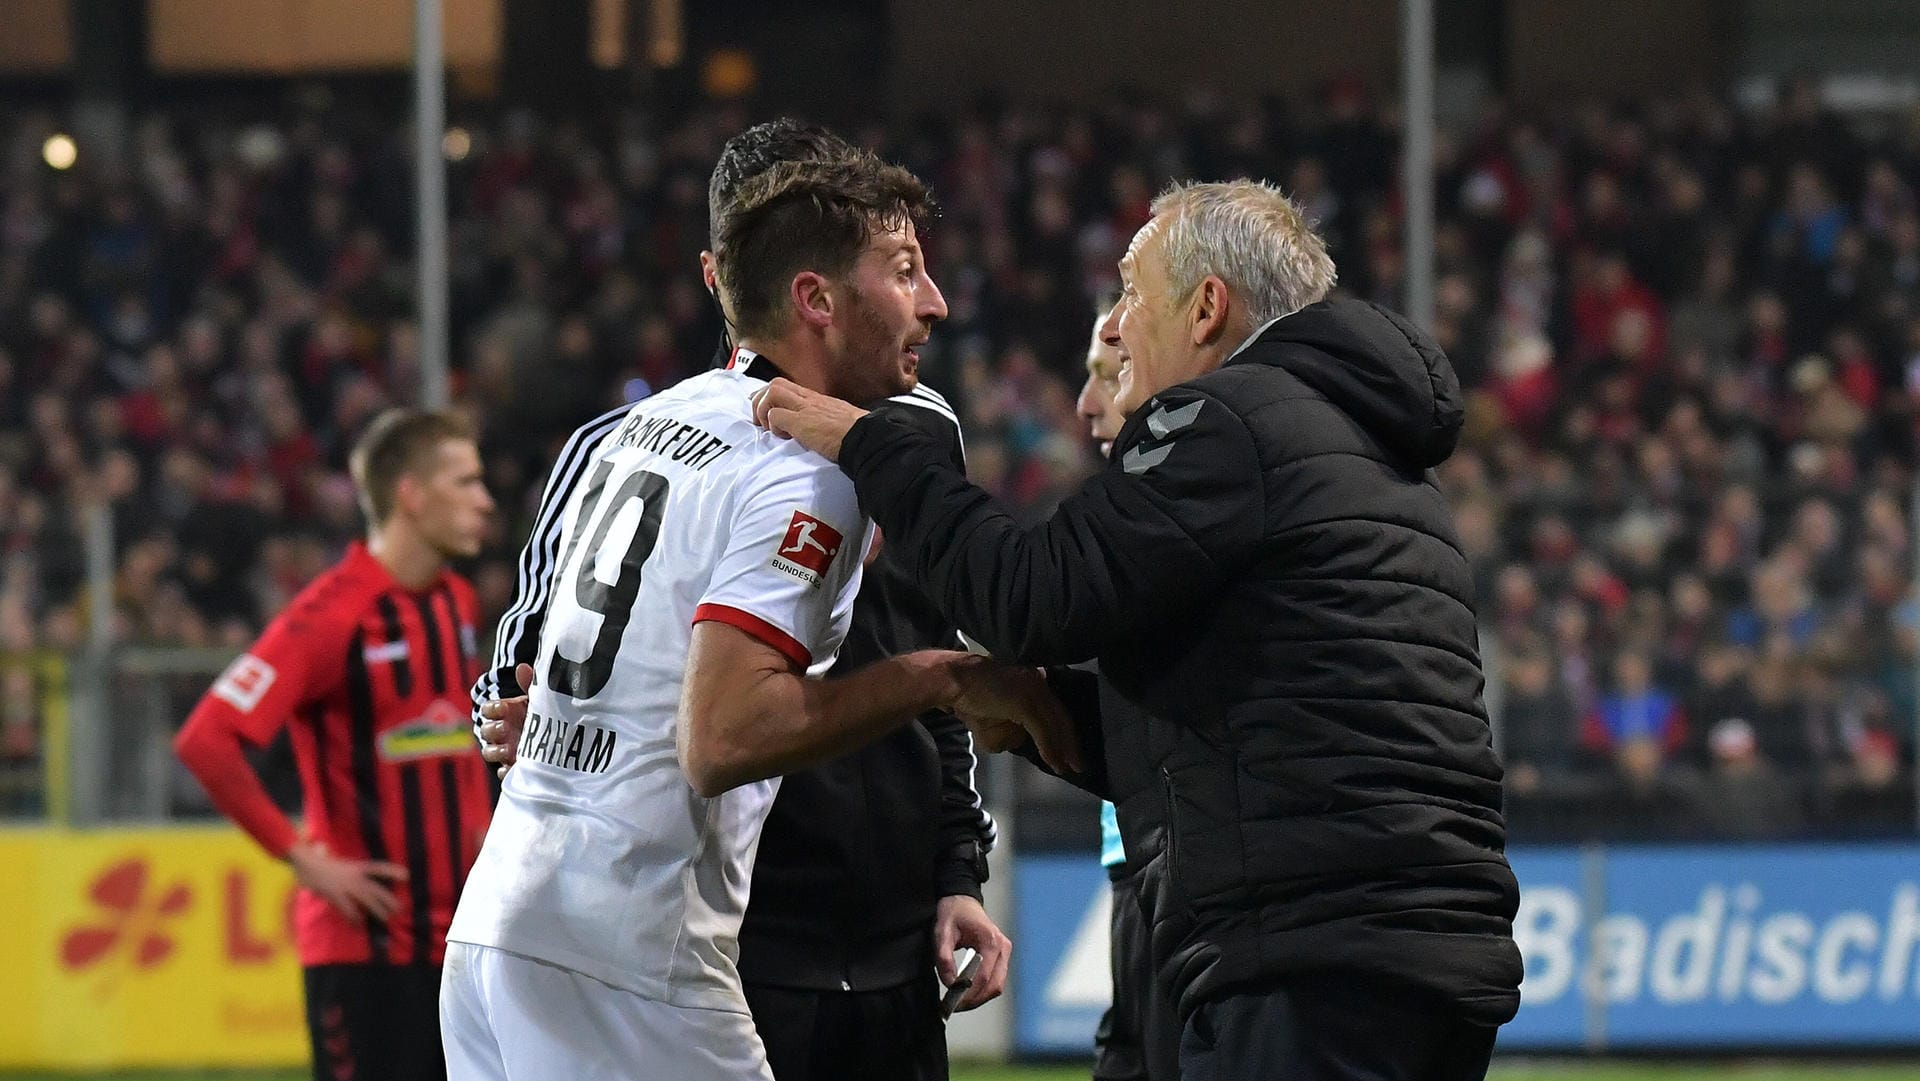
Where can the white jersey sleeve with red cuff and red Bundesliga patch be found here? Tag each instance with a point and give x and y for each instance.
(792, 560)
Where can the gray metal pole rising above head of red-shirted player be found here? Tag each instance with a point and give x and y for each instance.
(431, 189)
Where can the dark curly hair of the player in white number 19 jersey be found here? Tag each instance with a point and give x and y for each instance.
(805, 216)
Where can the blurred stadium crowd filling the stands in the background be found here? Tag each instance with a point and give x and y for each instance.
(1691, 335)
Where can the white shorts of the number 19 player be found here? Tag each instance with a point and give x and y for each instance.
(514, 1019)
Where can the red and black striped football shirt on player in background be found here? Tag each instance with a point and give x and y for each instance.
(368, 677)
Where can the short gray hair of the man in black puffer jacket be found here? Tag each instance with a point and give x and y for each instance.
(1253, 237)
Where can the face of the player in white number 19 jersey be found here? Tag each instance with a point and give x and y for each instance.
(892, 308)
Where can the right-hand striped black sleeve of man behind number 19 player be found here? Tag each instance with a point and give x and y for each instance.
(967, 832)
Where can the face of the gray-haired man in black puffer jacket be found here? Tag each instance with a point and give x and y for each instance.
(1149, 324)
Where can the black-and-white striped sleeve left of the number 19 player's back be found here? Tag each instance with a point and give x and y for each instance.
(517, 638)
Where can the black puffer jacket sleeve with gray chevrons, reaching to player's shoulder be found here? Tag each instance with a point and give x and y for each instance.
(1174, 516)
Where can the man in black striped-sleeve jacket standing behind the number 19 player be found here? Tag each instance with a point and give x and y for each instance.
(871, 867)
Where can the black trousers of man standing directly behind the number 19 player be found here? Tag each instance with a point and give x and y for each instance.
(834, 1036)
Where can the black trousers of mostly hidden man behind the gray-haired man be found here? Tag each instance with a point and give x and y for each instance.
(1140, 1036)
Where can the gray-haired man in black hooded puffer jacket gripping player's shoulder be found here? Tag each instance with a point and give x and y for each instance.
(1289, 679)
